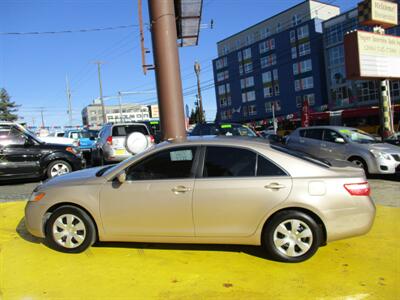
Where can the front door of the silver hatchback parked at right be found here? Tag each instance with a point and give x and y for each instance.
(332, 146)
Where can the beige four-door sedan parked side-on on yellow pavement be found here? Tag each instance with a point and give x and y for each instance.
(206, 190)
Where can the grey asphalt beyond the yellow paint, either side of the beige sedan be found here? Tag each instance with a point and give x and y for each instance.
(385, 191)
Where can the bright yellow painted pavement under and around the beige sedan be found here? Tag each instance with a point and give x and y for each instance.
(366, 267)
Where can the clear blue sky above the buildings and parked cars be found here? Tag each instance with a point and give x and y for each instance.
(34, 67)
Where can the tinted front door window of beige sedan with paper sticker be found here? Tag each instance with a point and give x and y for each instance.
(168, 164)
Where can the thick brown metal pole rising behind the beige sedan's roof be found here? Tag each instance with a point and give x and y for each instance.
(168, 77)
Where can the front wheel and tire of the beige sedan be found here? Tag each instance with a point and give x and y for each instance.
(69, 229)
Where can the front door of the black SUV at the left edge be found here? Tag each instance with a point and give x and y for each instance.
(19, 155)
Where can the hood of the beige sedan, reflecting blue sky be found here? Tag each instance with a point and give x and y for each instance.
(86, 176)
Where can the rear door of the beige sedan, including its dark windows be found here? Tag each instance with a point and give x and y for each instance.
(237, 188)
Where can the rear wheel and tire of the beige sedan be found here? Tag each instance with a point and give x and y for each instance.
(283, 243)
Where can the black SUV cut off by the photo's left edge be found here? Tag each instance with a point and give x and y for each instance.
(23, 155)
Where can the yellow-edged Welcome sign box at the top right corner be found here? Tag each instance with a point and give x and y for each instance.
(377, 13)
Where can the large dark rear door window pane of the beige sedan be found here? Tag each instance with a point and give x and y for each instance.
(229, 162)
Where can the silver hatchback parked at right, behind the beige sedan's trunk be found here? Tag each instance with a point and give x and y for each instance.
(346, 143)
